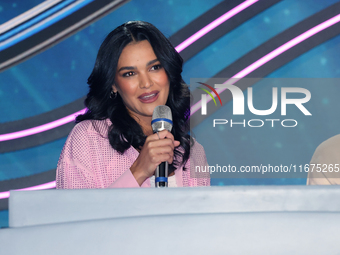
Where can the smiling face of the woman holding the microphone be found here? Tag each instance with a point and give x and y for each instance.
(140, 80)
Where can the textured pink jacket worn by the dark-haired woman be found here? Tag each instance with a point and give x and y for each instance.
(88, 161)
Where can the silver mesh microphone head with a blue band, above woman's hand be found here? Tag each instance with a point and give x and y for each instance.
(161, 118)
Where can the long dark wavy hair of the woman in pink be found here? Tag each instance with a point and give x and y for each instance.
(125, 131)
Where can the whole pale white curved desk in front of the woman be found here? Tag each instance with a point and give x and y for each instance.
(214, 220)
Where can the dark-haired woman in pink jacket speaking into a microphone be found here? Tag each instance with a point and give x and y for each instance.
(113, 145)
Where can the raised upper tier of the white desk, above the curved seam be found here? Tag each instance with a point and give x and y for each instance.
(28, 208)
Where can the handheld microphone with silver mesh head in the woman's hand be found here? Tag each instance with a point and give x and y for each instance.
(161, 119)
